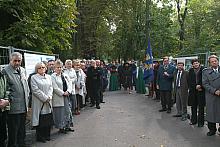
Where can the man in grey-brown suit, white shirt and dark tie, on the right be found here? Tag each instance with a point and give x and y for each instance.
(181, 91)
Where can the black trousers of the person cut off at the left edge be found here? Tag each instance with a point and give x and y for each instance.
(3, 129)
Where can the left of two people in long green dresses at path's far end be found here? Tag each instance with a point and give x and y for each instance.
(113, 86)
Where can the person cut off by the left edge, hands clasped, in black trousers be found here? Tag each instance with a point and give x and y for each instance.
(4, 107)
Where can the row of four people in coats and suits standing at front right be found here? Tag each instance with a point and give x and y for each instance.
(198, 88)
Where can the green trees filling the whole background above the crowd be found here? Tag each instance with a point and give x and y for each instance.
(110, 29)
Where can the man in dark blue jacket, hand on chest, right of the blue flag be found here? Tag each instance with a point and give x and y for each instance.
(164, 84)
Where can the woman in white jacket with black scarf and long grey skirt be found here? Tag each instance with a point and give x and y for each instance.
(62, 88)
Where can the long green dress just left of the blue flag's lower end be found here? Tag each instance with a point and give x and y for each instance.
(140, 82)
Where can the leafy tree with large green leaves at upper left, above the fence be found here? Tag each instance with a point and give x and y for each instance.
(43, 25)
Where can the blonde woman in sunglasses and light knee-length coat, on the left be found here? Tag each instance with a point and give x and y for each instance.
(42, 91)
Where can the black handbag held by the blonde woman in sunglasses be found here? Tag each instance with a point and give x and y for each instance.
(46, 120)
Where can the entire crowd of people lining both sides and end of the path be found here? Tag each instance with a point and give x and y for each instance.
(57, 91)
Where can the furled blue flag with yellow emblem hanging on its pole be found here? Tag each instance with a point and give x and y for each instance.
(148, 67)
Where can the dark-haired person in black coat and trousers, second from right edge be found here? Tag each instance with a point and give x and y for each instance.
(196, 93)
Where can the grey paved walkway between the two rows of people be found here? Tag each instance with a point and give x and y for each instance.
(131, 120)
